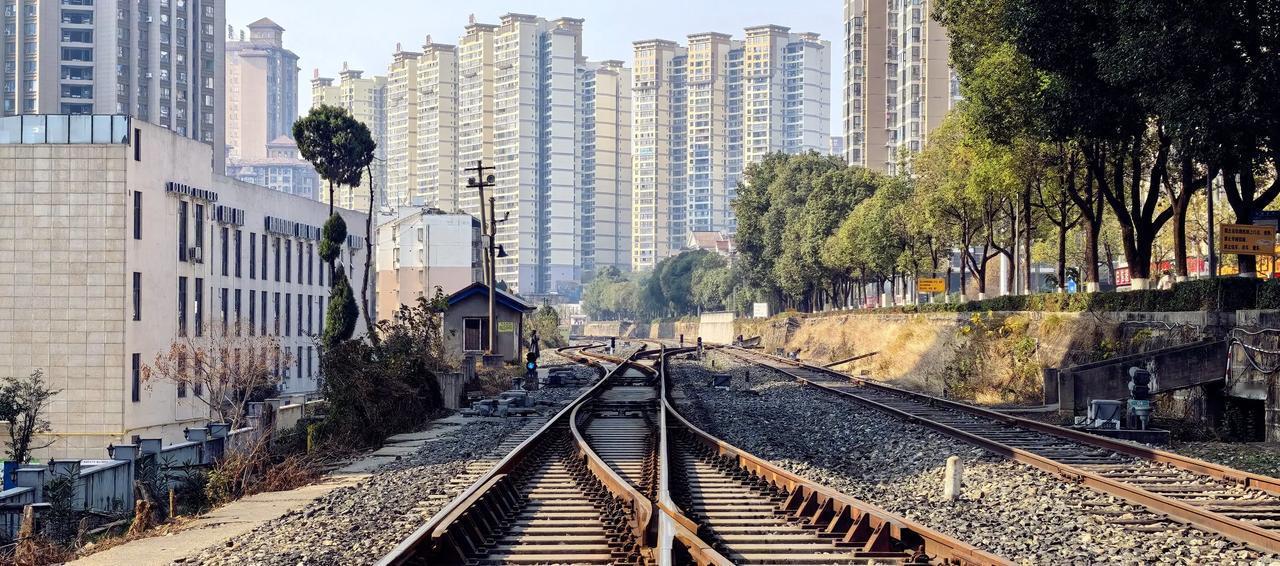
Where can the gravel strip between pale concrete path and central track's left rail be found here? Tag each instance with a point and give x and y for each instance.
(359, 524)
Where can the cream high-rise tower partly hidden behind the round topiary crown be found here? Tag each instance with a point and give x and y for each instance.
(367, 102)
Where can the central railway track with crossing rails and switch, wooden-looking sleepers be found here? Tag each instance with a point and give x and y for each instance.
(619, 477)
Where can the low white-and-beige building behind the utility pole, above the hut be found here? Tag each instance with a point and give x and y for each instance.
(420, 249)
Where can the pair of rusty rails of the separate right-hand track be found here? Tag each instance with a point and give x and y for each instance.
(1231, 528)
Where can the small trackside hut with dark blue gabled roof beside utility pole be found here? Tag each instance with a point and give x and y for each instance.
(467, 323)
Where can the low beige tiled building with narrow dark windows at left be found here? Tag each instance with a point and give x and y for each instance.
(135, 245)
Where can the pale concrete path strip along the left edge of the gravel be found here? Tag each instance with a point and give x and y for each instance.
(244, 515)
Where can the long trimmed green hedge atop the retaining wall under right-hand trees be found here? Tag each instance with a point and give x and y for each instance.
(1212, 295)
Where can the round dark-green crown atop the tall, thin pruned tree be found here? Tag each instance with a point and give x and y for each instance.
(337, 144)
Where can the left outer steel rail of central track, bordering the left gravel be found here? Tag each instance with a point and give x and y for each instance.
(422, 541)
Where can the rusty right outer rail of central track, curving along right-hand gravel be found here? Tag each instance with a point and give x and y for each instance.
(825, 506)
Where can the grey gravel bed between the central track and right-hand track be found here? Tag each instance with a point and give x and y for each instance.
(1008, 509)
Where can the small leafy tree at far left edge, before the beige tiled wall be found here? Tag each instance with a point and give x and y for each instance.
(24, 403)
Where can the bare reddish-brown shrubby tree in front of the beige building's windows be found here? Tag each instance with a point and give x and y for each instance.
(225, 368)
